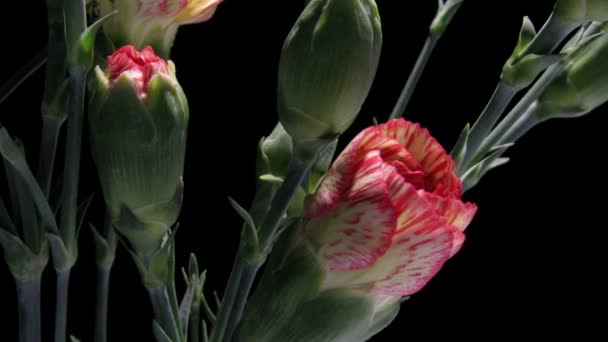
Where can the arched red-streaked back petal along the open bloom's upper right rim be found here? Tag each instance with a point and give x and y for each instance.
(438, 166)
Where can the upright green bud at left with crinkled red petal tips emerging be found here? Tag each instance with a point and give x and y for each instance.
(138, 120)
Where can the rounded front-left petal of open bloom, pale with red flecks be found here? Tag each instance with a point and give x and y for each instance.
(356, 232)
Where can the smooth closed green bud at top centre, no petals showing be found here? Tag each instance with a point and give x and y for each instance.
(327, 67)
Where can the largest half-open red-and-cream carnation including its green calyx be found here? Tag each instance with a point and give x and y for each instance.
(385, 218)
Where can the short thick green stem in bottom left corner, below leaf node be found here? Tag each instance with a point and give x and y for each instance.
(28, 297)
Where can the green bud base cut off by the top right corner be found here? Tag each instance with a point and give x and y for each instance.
(582, 11)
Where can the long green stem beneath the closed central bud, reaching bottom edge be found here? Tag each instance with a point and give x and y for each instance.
(243, 272)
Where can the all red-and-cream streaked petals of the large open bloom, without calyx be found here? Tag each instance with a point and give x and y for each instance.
(388, 212)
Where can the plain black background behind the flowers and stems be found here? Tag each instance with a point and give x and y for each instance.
(534, 260)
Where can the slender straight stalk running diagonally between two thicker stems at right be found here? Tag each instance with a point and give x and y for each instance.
(507, 123)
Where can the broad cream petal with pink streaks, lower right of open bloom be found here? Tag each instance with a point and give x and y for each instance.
(422, 243)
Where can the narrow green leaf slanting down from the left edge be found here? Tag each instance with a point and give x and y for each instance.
(11, 153)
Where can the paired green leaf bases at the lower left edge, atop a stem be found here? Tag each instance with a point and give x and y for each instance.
(22, 261)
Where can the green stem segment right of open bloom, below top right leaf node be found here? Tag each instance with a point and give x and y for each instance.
(496, 106)
